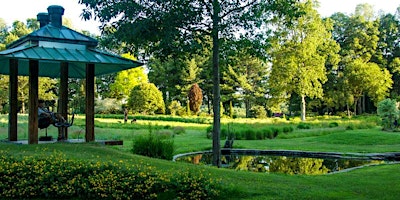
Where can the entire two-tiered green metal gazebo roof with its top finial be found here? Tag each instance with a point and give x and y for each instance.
(53, 44)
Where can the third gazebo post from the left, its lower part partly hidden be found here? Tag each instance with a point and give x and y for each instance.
(63, 99)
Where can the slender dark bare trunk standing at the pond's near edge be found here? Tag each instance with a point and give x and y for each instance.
(216, 101)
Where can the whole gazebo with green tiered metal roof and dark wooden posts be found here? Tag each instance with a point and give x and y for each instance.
(58, 52)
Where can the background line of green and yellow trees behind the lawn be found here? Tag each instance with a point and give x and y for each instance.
(291, 63)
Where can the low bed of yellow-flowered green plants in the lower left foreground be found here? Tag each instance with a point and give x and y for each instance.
(55, 176)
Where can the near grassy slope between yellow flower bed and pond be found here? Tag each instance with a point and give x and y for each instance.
(375, 182)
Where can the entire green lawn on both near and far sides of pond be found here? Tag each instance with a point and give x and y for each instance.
(373, 182)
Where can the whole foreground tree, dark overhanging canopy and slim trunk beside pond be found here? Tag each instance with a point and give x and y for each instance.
(172, 27)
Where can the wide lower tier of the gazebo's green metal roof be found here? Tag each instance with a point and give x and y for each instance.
(51, 57)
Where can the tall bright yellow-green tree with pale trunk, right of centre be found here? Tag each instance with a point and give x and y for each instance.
(298, 63)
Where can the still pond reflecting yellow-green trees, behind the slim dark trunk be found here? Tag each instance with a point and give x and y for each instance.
(288, 162)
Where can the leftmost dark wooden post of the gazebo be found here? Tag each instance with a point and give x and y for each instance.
(13, 101)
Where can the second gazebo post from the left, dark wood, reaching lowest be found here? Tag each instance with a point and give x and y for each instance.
(33, 101)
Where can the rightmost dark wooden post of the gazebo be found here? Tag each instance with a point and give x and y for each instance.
(89, 103)
